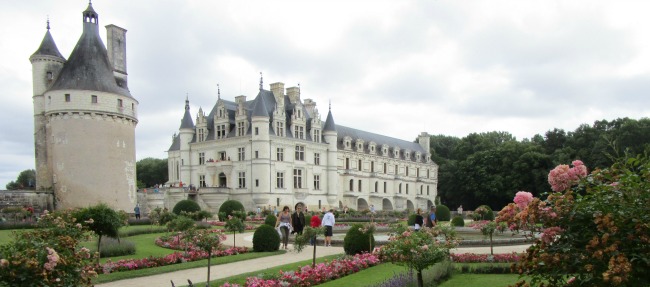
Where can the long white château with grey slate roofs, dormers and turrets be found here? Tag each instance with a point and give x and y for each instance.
(275, 150)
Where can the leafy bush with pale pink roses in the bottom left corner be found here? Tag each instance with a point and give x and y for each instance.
(38, 257)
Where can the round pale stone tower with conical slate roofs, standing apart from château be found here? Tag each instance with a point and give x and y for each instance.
(84, 120)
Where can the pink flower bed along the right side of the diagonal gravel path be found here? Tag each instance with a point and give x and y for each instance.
(322, 272)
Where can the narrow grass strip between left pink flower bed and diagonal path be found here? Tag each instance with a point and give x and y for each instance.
(103, 278)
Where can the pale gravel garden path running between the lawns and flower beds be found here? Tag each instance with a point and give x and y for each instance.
(236, 268)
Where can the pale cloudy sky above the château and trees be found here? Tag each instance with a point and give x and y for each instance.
(391, 67)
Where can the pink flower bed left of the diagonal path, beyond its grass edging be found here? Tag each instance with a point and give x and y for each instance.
(174, 258)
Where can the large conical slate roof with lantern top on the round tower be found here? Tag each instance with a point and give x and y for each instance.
(88, 67)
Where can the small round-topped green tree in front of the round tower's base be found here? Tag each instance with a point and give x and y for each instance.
(102, 220)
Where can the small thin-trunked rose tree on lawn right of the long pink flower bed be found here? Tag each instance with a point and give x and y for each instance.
(419, 250)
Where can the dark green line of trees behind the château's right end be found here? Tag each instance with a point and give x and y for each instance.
(489, 168)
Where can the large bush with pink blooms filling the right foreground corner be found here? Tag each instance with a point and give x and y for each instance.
(593, 230)
